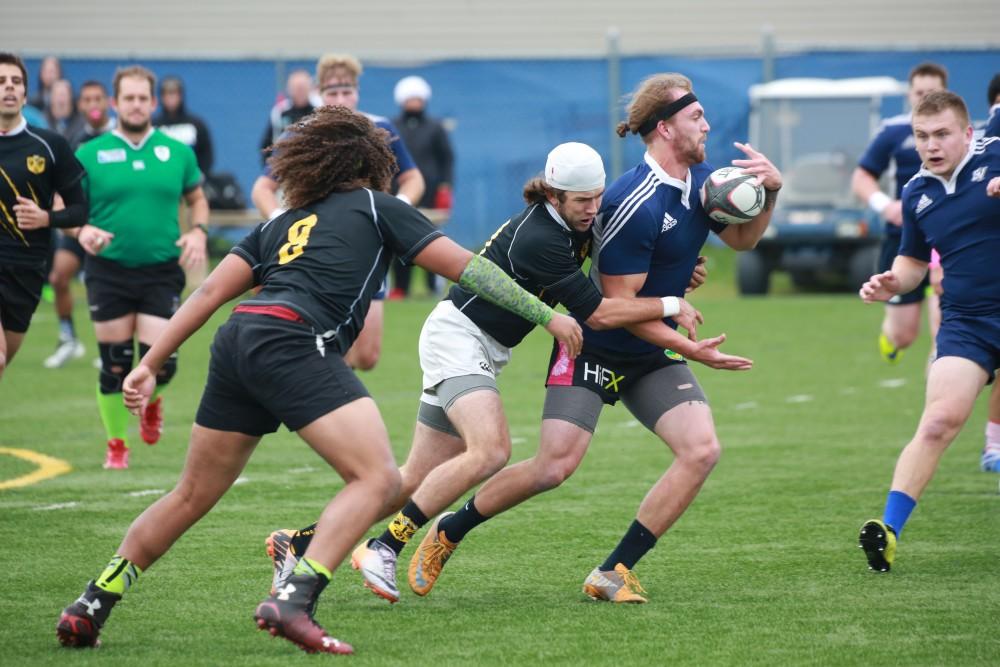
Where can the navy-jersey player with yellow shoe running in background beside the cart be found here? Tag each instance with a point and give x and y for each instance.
(893, 145)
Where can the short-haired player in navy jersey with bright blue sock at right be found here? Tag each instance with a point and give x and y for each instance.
(953, 205)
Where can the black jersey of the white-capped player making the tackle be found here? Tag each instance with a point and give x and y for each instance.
(543, 255)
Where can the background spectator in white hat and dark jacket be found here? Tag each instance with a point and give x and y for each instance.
(428, 143)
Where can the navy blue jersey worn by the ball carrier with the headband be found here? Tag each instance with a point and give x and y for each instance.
(655, 224)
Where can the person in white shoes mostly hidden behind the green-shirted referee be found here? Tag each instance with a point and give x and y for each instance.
(92, 108)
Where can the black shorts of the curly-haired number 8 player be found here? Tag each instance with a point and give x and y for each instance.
(266, 371)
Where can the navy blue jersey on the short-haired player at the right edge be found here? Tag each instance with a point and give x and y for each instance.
(957, 219)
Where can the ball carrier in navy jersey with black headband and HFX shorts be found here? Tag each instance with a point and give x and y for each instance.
(647, 236)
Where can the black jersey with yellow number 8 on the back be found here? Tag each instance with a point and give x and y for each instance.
(326, 260)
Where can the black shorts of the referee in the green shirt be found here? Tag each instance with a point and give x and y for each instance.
(114, 290)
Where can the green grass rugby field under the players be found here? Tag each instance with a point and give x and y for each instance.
(762, 570)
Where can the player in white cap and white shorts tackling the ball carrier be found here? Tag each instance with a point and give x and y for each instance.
(461, 436)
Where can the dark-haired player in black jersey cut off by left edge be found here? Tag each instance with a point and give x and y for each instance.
(34, 165)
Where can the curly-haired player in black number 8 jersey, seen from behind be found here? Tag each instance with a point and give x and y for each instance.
(279, 359)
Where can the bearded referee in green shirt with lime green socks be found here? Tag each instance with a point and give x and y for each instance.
(136, 177)
